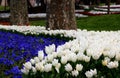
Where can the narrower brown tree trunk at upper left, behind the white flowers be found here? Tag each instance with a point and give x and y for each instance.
(18, 12)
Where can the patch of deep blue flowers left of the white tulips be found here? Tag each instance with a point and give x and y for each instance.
(15, 49)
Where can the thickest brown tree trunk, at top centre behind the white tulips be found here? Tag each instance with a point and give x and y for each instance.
(61, 14)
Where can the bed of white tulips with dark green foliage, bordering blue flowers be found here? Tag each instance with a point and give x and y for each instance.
(90, 54)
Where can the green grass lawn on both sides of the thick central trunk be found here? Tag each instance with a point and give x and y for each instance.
(103, 22)
